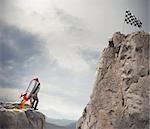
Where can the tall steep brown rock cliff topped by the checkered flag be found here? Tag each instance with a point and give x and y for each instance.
(120, 98)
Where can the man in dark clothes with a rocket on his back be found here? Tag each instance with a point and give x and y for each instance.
(34, 95)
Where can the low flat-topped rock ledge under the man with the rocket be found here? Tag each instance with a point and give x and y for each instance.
(13, 118)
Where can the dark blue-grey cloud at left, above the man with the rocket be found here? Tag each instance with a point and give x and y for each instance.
(21, 54)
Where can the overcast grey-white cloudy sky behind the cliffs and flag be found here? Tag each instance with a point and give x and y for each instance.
(58, 41)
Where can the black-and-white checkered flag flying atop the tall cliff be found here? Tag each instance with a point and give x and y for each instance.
(132, 20)
